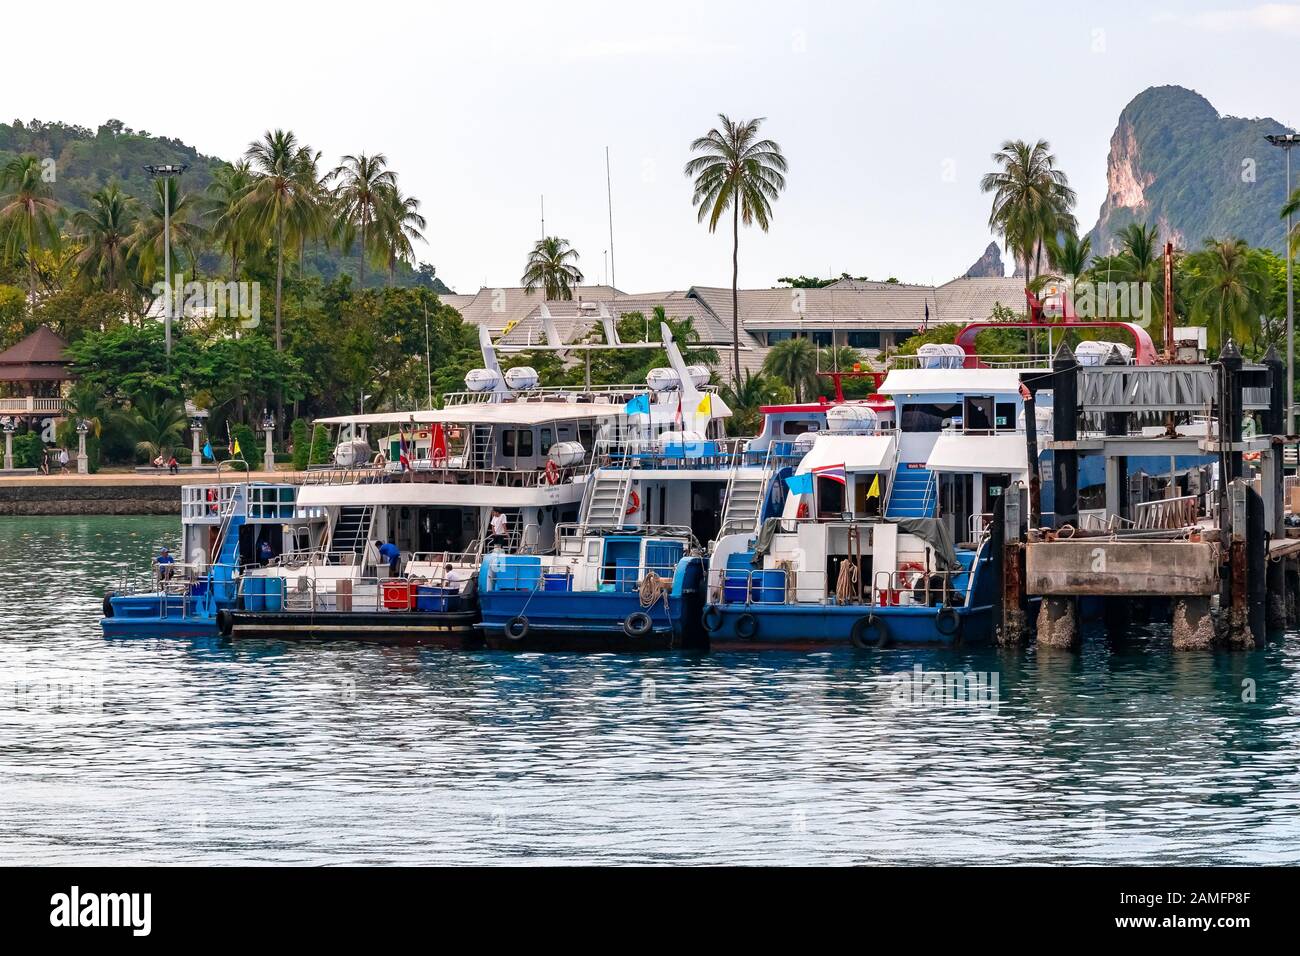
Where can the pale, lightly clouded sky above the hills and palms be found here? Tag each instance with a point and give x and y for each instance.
(887, 114)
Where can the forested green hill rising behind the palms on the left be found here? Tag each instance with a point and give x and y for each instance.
(86, 161)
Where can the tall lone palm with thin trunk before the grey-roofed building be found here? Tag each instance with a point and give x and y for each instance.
(736, 171)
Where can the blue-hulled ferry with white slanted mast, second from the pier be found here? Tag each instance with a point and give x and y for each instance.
(629, 574)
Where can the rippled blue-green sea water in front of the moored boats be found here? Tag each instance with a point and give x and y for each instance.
(206, 752)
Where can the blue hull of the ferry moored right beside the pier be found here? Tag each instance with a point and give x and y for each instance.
(801, 628)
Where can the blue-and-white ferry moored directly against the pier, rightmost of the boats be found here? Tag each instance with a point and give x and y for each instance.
(883, 538)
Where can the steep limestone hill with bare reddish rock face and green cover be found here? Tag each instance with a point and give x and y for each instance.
(1176, 162)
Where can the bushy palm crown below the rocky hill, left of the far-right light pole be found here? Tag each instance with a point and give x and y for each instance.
(1230, 283)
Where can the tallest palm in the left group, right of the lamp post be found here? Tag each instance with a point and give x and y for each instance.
(278, 194)
